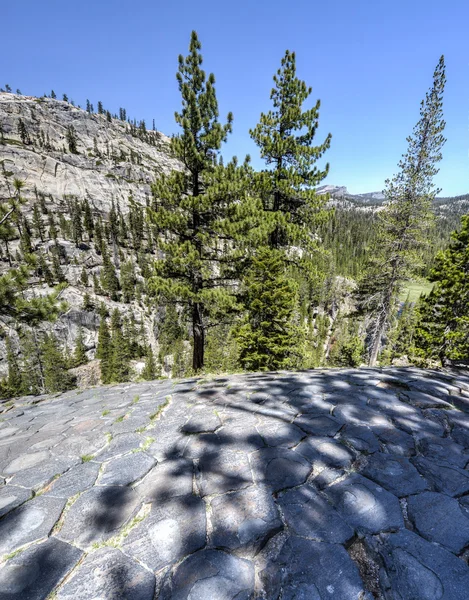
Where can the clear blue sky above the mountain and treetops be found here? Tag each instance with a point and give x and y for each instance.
(369, 61)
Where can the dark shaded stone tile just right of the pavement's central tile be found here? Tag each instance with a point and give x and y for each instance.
(279, 468)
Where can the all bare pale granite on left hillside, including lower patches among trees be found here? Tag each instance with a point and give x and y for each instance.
(113, 162)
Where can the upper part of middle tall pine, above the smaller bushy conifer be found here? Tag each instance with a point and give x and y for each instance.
(285, 137)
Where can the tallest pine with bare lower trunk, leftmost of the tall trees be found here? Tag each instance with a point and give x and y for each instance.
(185, 211)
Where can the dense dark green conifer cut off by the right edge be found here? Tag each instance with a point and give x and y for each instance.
(442, 330)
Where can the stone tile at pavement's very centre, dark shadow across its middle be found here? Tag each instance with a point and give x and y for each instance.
(222, 472)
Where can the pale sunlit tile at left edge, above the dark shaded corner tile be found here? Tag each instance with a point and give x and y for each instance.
(28, 523)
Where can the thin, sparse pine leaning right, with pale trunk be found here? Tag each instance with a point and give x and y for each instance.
(407, 217)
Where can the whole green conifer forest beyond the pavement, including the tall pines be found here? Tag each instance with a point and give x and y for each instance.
(244, 269)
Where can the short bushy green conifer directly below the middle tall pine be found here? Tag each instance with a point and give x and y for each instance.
(268, 336)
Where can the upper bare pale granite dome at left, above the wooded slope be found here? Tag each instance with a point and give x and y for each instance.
(111, 163)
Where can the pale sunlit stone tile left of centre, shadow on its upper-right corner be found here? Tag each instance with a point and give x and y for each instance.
(167, 480)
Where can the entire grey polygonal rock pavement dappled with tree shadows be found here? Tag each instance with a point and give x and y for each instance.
(320, 485)
